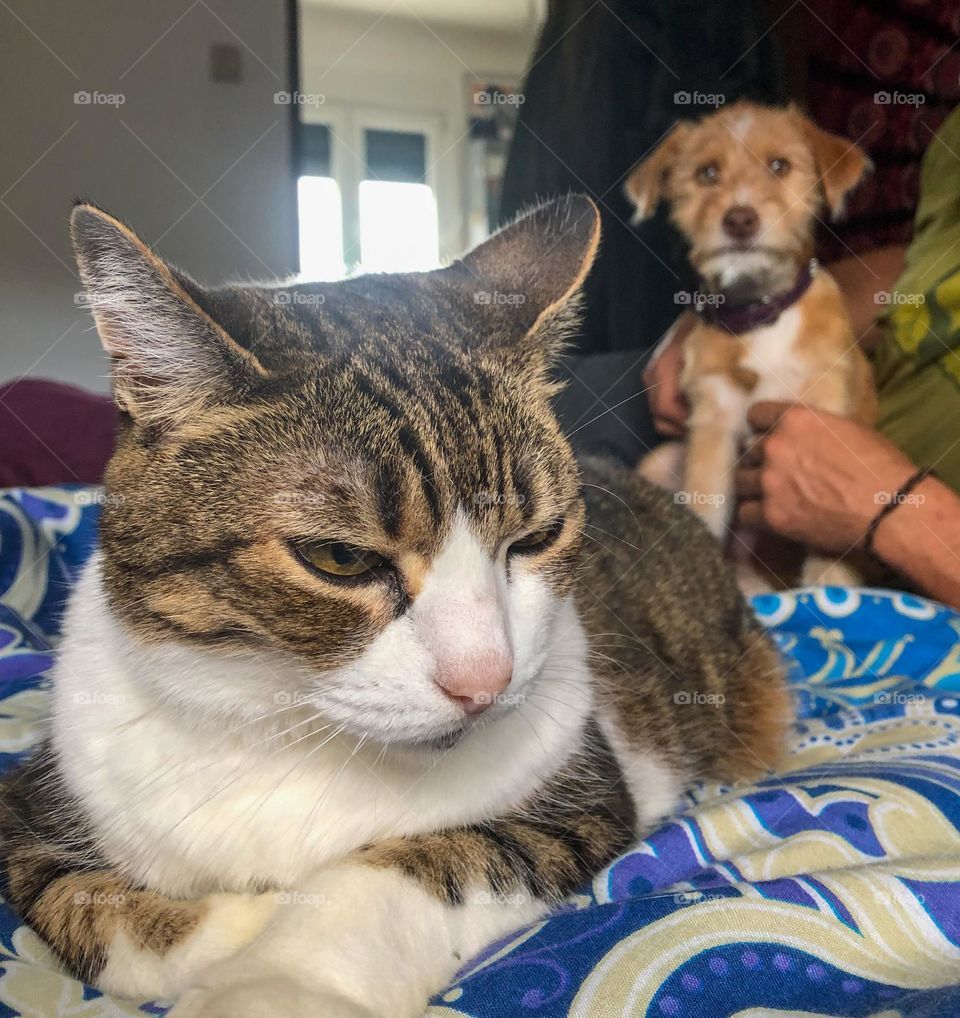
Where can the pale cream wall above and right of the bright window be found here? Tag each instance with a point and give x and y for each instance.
(366, 63)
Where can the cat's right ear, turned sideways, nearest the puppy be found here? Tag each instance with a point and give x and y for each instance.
(527, 275)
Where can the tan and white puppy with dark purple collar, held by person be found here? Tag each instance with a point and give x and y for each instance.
(746, 188)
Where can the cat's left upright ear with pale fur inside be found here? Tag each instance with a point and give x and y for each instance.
(171, 359)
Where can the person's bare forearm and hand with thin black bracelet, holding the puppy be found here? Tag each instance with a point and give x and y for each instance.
(821, 480)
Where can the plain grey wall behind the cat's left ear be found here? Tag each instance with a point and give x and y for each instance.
(206, 141)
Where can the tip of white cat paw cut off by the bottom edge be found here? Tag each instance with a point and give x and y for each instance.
(273, 998)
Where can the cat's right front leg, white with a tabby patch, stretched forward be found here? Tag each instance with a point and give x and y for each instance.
(380, 934)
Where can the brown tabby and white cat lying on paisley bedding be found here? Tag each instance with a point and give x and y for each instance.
(367, 672)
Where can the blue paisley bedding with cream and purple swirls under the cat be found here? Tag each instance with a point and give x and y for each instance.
(831, 890)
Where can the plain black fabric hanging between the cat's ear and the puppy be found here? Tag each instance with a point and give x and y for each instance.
(601, 93)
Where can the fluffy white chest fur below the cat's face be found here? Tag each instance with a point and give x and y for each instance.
(188, 810)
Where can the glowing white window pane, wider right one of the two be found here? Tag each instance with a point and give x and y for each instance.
(399, 228)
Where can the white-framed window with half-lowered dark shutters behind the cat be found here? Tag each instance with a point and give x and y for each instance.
(371, 213)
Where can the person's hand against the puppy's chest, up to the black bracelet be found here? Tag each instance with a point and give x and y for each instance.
(816, 478)
